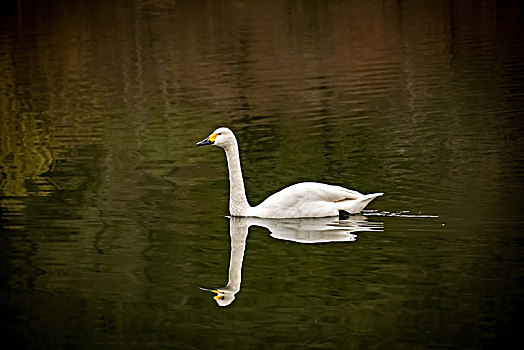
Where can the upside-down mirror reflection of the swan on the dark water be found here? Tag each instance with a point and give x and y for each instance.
(312, 230)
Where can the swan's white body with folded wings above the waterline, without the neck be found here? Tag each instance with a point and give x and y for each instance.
(309, 199)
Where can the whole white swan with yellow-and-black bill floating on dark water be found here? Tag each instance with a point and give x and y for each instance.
(302, 200)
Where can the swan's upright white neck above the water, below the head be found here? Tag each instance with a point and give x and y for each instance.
(238, 204)
